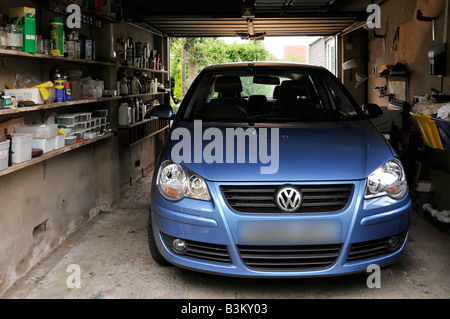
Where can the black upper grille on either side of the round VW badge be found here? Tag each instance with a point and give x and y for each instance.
(261, 199)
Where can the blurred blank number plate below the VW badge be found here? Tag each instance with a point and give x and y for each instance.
(289, 232)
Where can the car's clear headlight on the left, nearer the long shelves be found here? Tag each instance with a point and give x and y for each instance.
(175, 182)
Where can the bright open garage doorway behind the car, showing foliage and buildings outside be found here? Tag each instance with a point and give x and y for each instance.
(190, 55)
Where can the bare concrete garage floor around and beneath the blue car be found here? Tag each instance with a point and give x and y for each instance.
(114, 260)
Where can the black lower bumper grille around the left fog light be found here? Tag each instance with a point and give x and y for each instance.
(201, 251)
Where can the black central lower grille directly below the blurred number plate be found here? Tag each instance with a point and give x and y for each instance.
(289, 258)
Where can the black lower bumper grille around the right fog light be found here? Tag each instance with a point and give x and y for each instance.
(372, 249)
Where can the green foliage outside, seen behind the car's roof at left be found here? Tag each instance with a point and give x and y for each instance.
(201, 52)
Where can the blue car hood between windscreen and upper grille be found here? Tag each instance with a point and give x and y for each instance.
(328, 151)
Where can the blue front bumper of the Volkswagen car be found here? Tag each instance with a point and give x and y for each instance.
(216, 236)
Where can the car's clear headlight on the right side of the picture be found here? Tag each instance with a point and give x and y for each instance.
(389, 179)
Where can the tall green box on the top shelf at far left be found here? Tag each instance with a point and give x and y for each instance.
(27, 17)
